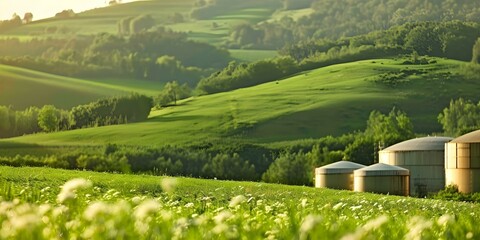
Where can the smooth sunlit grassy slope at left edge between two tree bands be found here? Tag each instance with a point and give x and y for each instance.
(22, 88)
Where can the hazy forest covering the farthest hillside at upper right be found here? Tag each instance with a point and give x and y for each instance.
(334, 19)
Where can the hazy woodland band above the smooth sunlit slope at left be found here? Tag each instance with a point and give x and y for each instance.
(157, 55)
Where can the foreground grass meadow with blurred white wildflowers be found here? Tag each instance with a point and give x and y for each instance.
(113, 206)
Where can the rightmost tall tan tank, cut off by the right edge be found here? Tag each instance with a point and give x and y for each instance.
(462, 162)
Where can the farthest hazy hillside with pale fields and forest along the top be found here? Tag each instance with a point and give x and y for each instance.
(266, 24)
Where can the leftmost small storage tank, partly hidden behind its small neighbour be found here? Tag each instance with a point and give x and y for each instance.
(338, 175)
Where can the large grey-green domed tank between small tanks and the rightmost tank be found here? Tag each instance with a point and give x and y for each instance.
(424, 158)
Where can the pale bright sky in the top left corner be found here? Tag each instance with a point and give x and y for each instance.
(46, 8)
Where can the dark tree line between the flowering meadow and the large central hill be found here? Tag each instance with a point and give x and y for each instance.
(234, 159)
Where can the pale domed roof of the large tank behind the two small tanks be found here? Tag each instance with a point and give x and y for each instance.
(420, 144)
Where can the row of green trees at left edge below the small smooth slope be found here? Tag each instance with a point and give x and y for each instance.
(109, 111)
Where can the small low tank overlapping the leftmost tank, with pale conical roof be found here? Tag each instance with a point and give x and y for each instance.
(382, 178)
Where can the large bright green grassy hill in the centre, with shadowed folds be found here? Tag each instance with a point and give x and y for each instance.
(331, 100)
